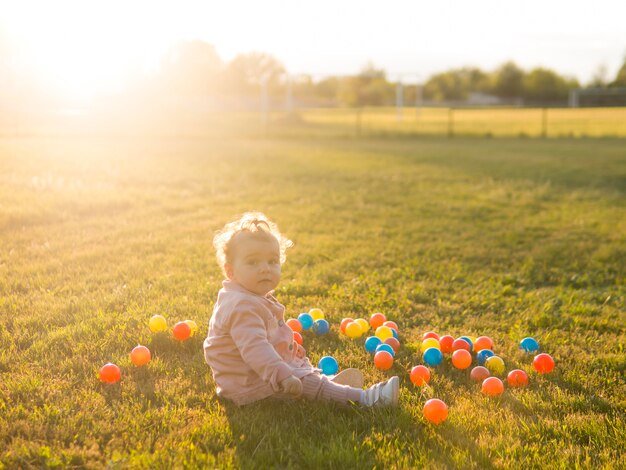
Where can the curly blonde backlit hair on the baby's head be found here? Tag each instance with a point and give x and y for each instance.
(255, 223)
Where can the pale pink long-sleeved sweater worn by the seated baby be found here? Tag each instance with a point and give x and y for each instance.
(249, 347)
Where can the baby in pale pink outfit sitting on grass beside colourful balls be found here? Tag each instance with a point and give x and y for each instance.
(250, 349)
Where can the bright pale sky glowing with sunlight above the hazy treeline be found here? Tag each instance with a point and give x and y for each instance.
(411, 40)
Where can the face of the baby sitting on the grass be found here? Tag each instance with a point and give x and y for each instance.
(256, 263)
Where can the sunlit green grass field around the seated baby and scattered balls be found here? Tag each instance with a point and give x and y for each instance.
(507, 238)
